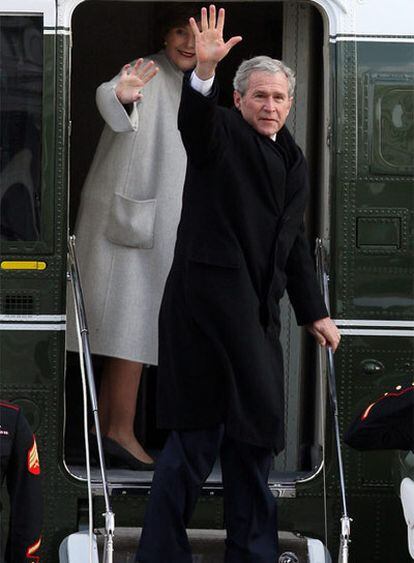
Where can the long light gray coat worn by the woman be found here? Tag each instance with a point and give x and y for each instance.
(128, 218)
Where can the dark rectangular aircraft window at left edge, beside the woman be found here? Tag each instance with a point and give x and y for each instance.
(21, 64)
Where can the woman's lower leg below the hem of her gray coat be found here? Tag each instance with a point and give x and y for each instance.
(117, 404)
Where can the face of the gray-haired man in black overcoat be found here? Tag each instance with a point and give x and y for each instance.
(266, 103)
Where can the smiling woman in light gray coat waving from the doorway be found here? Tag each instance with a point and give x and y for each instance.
(126, 227)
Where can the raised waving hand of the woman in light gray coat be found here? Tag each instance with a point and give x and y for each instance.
(133, 79)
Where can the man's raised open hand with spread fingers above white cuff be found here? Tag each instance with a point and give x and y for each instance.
(210, 46)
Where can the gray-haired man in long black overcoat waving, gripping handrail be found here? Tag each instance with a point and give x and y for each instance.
(240, 244)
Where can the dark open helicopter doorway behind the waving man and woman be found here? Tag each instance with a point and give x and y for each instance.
(106, 35)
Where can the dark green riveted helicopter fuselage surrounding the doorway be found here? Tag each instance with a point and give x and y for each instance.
(370, 210)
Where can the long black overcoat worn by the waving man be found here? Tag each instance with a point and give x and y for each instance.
(240, 243)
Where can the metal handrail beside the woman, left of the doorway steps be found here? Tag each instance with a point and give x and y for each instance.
(86, 362)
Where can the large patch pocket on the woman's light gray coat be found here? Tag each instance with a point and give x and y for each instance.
(131, 222)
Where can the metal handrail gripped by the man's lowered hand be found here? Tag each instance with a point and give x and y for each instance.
(345, 519)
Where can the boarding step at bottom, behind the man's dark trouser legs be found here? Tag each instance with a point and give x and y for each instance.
(208, 546)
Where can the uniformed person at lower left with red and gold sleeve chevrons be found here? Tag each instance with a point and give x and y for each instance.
(19, 465)
